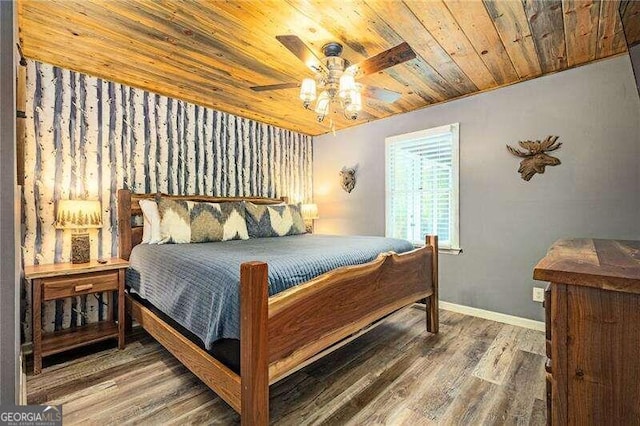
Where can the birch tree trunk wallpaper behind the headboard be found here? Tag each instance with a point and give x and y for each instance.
(87, 137)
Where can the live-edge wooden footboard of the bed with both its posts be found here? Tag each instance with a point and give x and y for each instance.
(281, 333)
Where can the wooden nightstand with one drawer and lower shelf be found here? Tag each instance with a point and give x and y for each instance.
(62, 280)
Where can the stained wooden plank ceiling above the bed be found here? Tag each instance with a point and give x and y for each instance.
(212, 52)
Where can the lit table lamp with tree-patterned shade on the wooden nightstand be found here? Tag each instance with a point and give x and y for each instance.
(79, 215)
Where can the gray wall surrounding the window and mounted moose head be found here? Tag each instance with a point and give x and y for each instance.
(507, 224)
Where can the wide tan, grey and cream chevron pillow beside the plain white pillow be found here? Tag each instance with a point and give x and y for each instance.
(199, 222)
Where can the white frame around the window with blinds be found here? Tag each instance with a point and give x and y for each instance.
(454, 129)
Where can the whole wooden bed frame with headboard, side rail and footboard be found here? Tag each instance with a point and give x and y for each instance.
(285, 332)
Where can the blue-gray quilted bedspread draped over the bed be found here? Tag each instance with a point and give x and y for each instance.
(197, 285)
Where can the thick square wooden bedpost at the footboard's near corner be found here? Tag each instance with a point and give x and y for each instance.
(254, 356)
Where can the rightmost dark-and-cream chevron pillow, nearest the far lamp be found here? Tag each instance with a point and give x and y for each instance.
(274, 220)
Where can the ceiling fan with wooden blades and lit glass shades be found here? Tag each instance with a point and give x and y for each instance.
(336, 77)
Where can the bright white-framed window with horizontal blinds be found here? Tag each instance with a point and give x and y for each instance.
(422, 186)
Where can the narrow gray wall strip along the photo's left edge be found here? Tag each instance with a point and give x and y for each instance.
(8, 232)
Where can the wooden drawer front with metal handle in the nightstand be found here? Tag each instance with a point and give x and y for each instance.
(59, 287)
